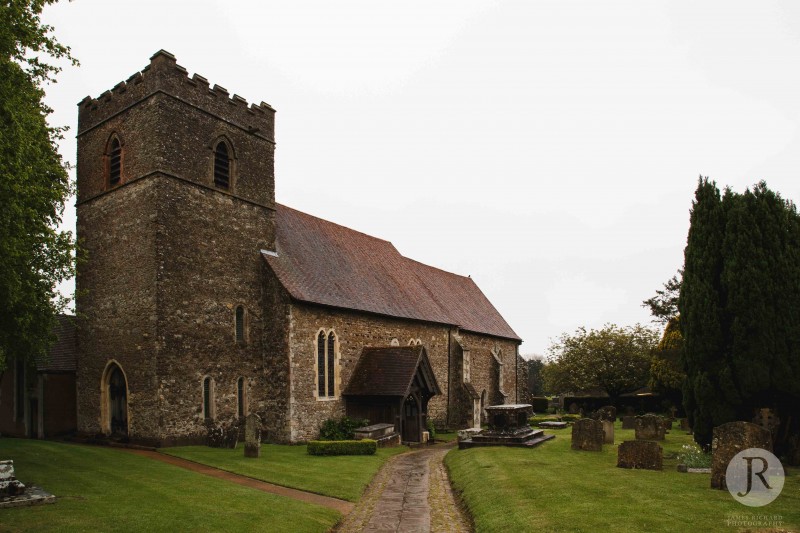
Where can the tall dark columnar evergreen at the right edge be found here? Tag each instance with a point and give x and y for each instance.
(738, 308)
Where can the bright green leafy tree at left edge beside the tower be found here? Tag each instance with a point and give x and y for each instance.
(34, 256)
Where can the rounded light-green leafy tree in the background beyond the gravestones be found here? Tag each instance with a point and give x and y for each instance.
(613, 359)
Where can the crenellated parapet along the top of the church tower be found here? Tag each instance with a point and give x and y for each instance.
(164, 75)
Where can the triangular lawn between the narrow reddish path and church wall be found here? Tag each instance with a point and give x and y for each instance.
(343, 477)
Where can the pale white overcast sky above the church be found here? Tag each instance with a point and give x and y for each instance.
(549, 149)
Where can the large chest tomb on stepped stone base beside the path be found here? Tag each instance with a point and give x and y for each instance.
(508, 426)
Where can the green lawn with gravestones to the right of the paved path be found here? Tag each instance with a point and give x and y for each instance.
(554, 488)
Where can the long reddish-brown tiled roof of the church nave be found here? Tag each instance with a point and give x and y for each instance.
(324, 263)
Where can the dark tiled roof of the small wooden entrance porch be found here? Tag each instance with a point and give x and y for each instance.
(390, 371)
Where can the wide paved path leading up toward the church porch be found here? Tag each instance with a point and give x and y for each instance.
(410, 494)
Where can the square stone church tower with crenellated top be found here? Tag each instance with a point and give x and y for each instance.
(176, 201)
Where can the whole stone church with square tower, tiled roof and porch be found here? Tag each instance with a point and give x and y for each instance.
(202, 300)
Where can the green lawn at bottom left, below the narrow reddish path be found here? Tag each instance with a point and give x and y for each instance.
(102, 489)
